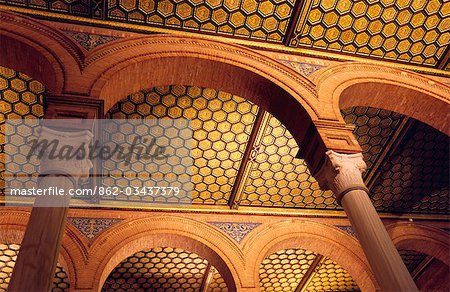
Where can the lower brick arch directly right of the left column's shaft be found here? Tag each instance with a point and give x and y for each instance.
(129, 237)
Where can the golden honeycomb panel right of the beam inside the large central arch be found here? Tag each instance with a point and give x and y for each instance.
(277, 178)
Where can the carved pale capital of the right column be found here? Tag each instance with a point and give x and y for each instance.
(342, 173)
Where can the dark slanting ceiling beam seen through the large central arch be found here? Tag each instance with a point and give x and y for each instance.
(242, 174)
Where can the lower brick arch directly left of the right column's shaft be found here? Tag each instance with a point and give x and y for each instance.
(323, 239)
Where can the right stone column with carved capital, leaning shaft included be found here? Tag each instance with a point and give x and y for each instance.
(342, 173)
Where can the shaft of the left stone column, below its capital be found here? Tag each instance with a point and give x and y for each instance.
(38, 254)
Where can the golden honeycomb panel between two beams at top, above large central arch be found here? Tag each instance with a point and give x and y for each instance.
(264, 20)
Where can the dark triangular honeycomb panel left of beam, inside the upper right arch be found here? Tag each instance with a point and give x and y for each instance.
(374, 129)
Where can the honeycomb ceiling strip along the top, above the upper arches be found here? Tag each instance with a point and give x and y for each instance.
(413, 32)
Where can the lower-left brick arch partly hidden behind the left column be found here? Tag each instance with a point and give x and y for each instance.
(13, 224)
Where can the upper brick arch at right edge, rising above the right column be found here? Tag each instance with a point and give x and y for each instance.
(356, 84)
